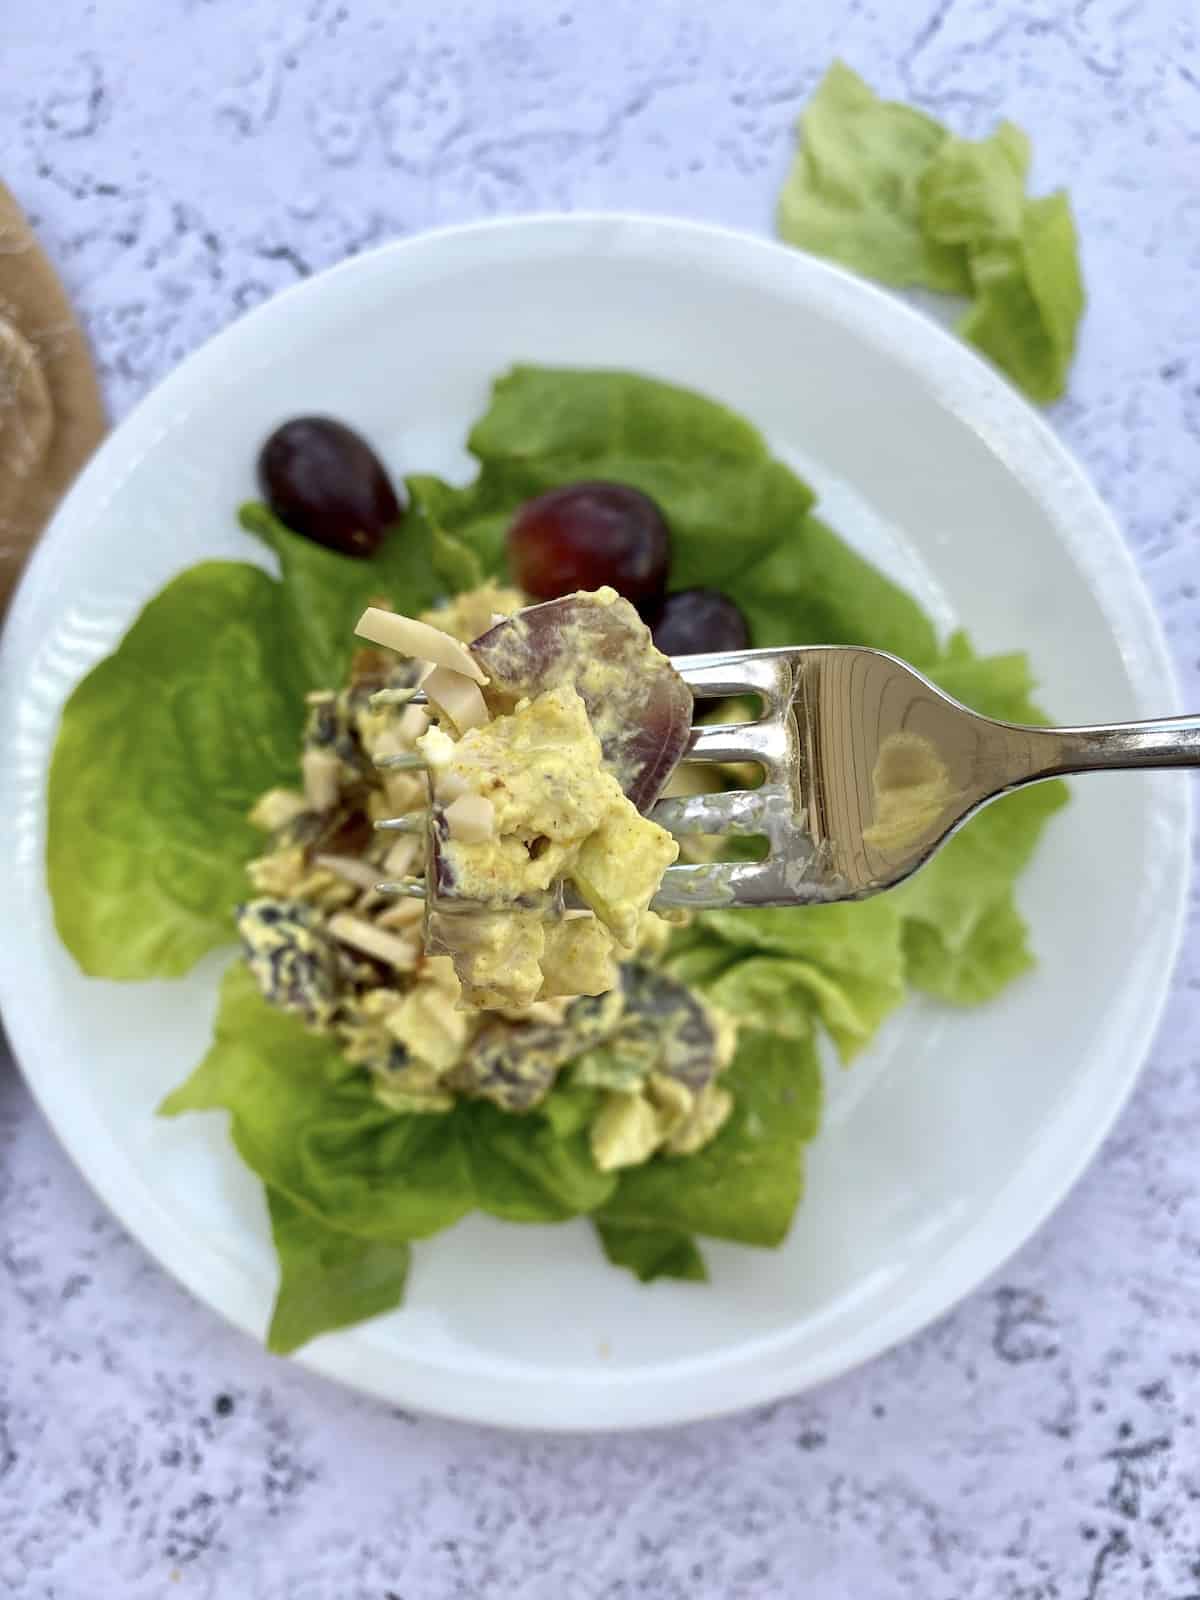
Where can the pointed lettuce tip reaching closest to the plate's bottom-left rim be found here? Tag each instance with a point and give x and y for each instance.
(327, 1279)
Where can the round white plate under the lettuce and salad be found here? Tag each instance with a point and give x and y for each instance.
(958, 1135)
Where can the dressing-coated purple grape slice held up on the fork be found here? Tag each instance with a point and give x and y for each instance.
(639, 706)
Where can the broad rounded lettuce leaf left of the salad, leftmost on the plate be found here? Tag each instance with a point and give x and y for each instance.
(162, 751)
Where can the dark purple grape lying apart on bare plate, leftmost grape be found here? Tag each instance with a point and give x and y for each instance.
(326, 482)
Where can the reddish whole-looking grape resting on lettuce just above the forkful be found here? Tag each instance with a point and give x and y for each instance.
(588, 537)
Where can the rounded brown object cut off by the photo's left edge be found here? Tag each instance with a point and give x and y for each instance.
(52, 415)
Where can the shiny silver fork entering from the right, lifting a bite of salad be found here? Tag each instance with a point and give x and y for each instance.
(868, 770)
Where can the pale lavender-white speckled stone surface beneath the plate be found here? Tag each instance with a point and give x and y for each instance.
(183, 159)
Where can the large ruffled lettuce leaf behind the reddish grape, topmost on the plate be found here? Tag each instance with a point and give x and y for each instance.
(738, 518)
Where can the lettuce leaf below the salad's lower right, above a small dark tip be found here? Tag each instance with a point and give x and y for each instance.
(746, 1185)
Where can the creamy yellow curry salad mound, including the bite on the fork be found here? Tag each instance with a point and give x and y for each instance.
(546, 735)
